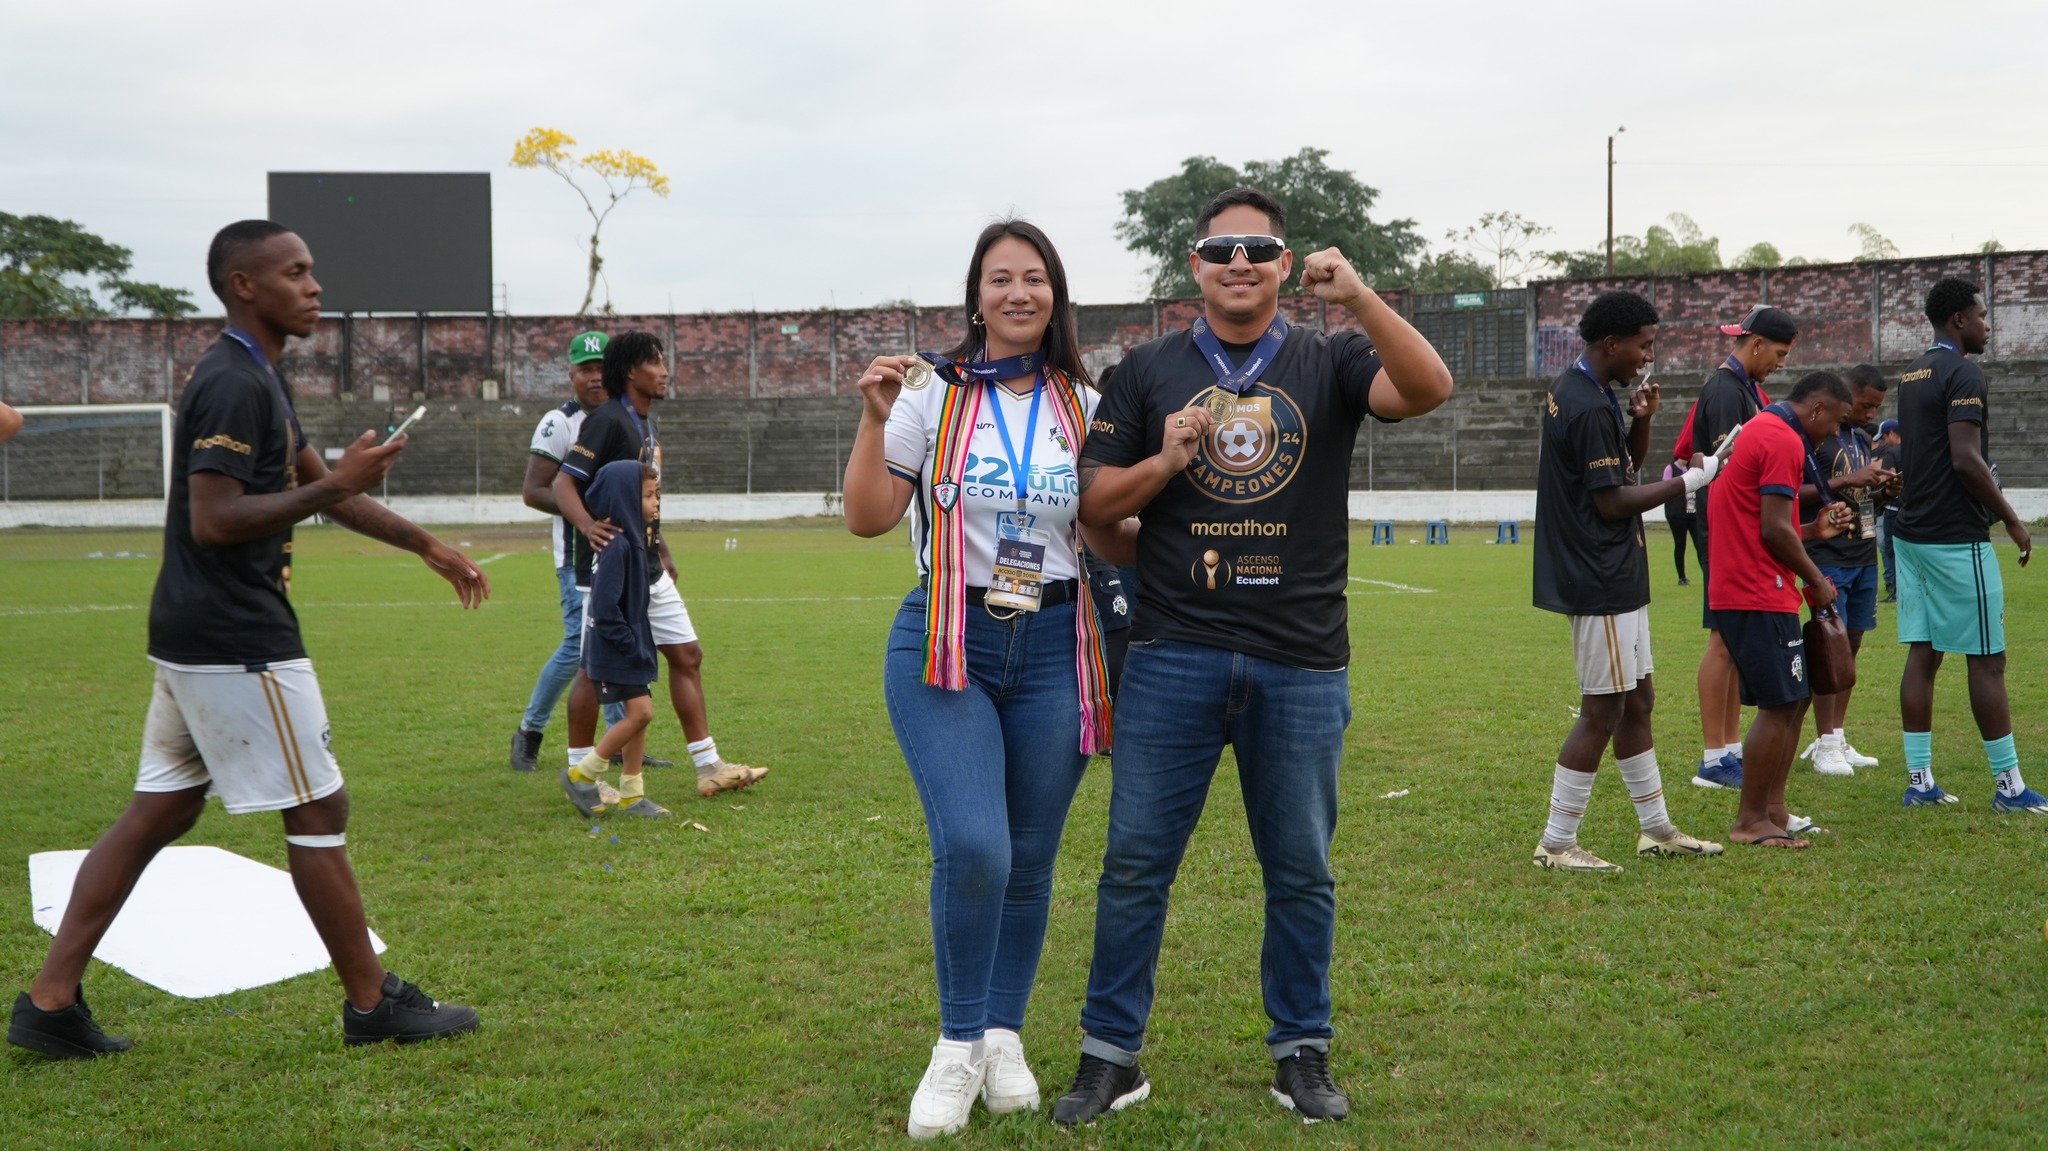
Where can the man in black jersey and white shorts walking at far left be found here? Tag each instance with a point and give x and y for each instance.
(237, 710)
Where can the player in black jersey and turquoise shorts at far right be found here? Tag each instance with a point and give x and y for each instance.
(1951, 591)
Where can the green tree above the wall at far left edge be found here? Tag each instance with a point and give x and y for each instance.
(48, 267)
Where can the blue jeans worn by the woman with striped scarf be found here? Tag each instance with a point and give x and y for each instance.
(996, 767)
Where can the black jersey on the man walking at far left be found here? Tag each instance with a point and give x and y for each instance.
(228, 605)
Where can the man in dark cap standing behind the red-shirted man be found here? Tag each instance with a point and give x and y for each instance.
(1732, 396)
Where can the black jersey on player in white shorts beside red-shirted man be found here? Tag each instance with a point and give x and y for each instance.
(1586, 564)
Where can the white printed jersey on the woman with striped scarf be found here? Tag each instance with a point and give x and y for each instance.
(1054, 493)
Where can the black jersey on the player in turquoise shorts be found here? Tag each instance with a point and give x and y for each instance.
(1943, 388)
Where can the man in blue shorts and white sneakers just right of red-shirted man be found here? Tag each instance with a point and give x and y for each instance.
(1850, 560)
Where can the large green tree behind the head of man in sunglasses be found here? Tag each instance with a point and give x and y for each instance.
(1326, 208)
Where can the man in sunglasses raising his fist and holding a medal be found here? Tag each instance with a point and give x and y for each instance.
(1234, 443)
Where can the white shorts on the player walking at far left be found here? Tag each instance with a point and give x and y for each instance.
(259, 738)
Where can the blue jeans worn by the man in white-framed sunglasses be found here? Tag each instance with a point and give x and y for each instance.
(1179, 706)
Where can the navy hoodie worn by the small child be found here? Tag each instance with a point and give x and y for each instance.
(620, 640)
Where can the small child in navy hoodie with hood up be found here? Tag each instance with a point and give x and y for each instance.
(620, 652)
